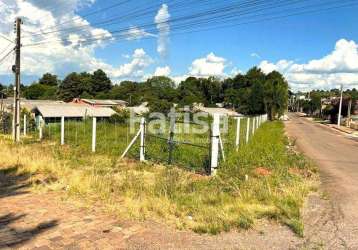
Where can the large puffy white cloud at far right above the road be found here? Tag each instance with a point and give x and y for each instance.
(338, 67)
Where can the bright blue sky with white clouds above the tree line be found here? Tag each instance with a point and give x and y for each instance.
(317, 50)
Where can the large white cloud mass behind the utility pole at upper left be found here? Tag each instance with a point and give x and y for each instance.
(64, 50)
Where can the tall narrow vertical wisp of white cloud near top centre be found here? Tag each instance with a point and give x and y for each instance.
(162, 21)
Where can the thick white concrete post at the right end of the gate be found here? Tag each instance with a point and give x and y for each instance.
(215, 134)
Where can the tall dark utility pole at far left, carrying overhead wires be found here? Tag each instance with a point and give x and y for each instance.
(16, 70)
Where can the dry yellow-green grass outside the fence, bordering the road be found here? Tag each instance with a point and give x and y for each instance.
(264, 179)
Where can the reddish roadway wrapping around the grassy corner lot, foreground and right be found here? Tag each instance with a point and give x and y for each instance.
(30, 220)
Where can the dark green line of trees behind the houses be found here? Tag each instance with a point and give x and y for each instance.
(252, 93)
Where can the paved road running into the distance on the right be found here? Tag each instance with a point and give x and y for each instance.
(337, 158)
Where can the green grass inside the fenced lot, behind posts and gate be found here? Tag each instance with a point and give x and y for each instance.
(190, 150)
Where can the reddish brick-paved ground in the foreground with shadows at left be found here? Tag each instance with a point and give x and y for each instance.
(45, 221)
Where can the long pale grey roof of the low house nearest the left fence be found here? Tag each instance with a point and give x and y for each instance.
(72, 111)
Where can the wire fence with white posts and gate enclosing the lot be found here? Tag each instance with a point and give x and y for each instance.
(177, 143)
